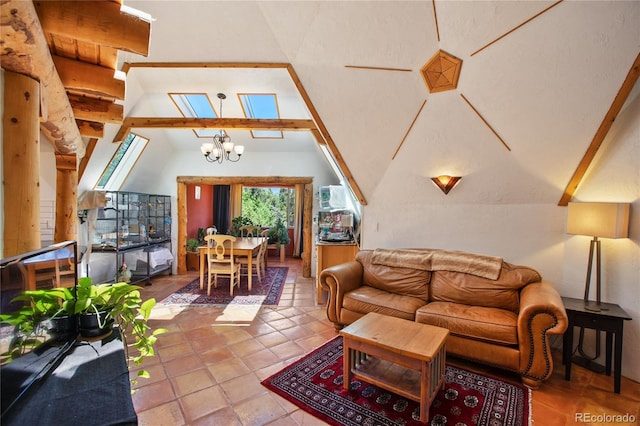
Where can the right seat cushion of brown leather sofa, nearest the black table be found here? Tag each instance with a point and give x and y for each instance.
(474, 322)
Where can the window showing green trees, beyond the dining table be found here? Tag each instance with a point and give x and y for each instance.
(264, 205)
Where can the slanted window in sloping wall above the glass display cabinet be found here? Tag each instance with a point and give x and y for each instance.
(122, 162)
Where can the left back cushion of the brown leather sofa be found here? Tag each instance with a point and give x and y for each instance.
(403, 281)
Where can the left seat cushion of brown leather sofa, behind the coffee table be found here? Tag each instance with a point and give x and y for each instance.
(369, 299)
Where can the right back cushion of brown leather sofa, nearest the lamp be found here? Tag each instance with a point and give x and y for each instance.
(469, 289)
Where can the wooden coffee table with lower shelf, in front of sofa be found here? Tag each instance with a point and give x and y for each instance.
(402, 356)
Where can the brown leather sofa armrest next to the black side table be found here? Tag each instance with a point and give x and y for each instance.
(541, 313)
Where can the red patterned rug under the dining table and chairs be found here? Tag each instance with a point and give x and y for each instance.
(266, 293)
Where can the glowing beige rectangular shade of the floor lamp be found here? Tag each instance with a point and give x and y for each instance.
(603, 220)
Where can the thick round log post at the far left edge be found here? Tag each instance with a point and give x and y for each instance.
(21, 164)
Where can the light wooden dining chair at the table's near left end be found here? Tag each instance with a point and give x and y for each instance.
(220, 261)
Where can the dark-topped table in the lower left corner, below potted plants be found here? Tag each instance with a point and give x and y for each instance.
(90, 386)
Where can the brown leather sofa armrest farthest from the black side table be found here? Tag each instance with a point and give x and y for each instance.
(339, 280)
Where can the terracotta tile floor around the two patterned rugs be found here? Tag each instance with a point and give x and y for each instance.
(209, 365)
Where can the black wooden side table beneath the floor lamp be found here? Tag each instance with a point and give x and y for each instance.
(610, 320)
